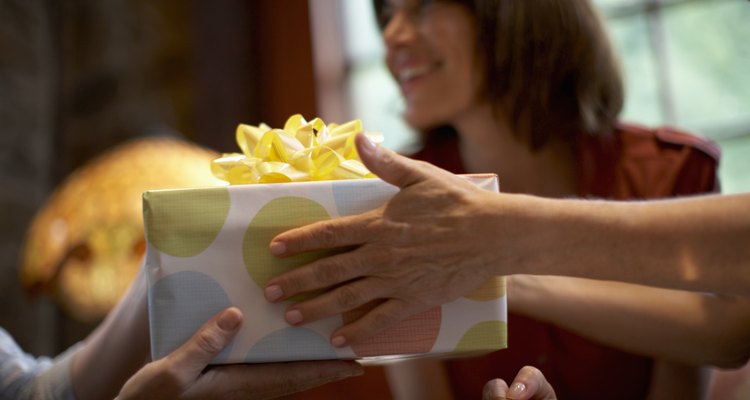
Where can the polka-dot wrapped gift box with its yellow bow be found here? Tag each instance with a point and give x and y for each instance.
(208, 249)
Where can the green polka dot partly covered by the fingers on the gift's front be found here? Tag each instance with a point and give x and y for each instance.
(277, 216)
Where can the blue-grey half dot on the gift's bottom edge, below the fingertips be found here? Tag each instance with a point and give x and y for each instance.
(291, 344)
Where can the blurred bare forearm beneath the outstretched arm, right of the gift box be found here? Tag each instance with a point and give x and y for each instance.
(687, 327)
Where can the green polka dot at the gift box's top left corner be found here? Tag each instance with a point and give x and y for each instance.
(183, 223)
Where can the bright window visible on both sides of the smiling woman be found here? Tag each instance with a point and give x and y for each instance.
(685, 64)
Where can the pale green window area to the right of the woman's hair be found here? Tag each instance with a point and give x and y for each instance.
(685, 64)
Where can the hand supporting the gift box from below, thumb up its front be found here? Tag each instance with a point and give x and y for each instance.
(182, 374)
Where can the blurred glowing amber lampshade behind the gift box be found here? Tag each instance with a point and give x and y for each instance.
(85, 245)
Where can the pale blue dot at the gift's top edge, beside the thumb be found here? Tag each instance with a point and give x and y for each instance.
(357, 196)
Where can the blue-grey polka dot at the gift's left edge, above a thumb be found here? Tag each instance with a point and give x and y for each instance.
(179, 304)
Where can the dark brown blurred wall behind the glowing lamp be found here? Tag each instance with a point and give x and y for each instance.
(78, 77)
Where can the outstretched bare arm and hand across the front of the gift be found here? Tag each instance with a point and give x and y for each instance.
(440, 238)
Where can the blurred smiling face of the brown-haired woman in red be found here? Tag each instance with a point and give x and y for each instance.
(430, 53)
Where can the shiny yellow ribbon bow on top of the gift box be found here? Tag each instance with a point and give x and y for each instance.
(302, 151)
